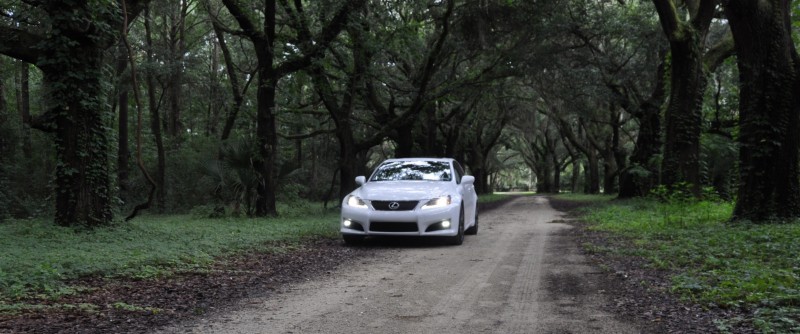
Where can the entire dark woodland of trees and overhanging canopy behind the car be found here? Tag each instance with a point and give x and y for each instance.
(244, 104)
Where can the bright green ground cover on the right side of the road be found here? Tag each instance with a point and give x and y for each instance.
(756, 267)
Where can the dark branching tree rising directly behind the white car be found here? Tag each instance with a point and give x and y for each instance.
(414, 73)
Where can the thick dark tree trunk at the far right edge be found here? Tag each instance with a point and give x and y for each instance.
(769, 108)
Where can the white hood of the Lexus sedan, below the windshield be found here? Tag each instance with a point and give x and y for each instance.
(404, 190)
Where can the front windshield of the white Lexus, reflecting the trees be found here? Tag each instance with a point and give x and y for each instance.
(413, 170)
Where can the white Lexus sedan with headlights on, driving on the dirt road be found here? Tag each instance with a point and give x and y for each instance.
(412, 197)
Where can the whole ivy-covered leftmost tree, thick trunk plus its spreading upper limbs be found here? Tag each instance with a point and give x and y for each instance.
(68, 45)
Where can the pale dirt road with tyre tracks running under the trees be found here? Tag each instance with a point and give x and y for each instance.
(522, 273)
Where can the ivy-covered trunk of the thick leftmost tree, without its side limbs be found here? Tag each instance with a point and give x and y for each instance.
(73, 68)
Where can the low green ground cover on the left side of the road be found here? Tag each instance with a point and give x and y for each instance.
(38, 257)
